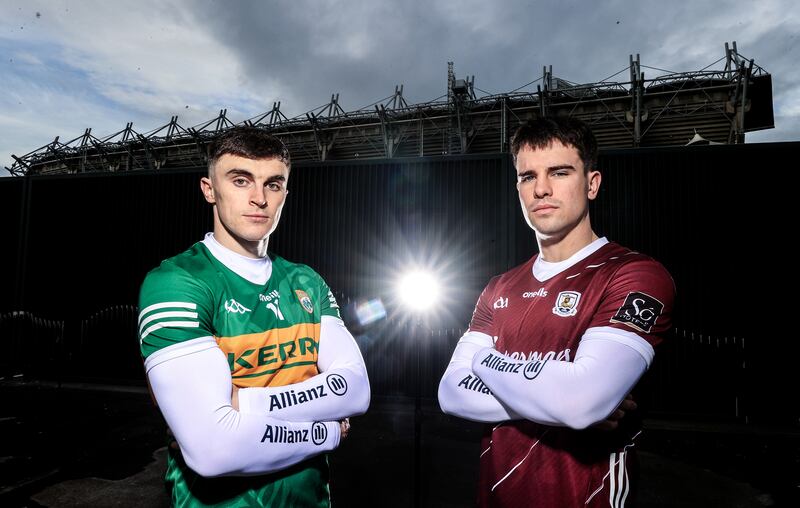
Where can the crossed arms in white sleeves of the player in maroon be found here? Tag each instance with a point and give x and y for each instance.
(484, 385)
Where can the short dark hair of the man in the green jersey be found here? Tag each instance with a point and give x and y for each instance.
(250, 143)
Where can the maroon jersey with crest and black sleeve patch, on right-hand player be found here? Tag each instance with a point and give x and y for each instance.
(527, 464)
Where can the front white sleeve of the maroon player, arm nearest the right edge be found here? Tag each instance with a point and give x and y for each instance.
(607, 365)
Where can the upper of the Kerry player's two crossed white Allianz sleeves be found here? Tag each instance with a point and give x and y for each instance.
(341, 390)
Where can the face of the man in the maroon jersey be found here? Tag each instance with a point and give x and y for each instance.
(554, 190)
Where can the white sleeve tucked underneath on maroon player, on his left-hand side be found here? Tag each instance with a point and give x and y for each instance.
(461, 391)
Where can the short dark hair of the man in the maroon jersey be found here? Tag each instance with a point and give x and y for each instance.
(539, 133)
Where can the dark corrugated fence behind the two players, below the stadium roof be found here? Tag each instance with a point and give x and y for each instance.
(78, 247)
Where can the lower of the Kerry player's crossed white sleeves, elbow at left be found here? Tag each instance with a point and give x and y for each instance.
(192, 385)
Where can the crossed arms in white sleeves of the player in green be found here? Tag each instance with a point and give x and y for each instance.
(191, 382)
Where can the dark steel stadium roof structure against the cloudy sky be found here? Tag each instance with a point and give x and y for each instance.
(719, 105)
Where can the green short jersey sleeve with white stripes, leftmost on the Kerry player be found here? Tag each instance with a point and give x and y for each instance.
(174, 307)
